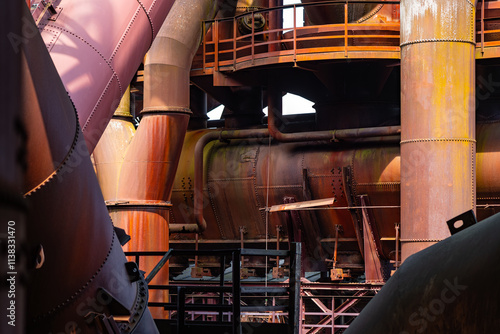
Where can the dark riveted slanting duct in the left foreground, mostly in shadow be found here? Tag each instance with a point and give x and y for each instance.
(78, 267)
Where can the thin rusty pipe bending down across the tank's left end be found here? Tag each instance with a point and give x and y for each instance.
(200, 224)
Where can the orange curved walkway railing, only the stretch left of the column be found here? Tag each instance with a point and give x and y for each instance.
(225, 52)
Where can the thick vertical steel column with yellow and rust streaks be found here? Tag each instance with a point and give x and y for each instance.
(437, 118)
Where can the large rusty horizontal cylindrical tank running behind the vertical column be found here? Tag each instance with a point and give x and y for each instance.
(236, 189)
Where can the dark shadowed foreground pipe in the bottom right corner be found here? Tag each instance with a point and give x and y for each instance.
(441, 289)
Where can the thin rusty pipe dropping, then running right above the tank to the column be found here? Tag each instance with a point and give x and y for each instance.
(275, 113)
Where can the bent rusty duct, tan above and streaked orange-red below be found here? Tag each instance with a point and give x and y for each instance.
(150, 163)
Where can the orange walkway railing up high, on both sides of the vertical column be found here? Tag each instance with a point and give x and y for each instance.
(250, 49)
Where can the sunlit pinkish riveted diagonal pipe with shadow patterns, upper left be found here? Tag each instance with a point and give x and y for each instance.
(97, 47)
